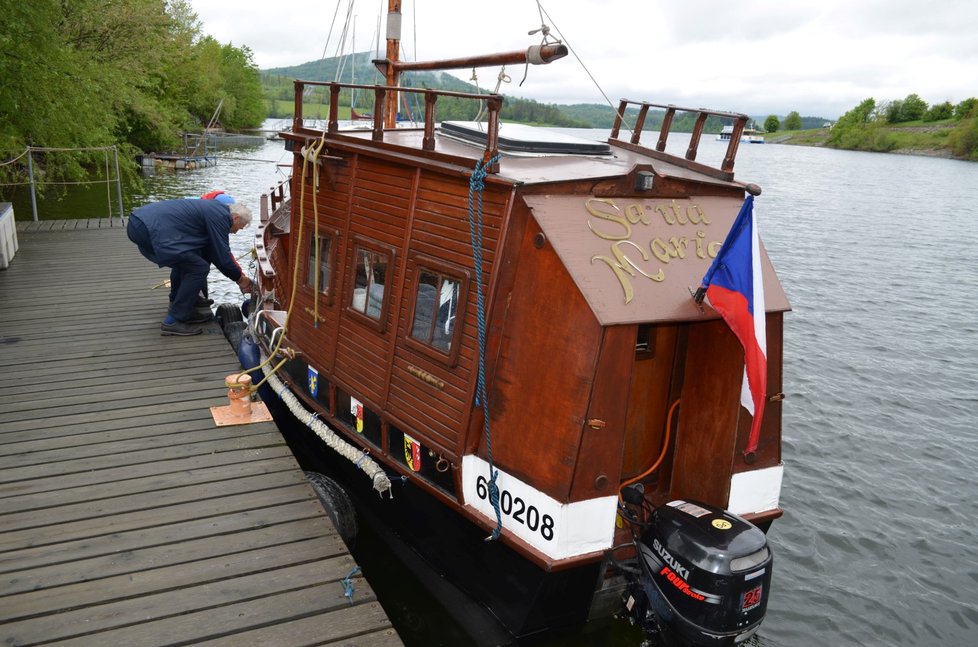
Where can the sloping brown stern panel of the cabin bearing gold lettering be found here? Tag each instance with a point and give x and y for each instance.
(636, 260)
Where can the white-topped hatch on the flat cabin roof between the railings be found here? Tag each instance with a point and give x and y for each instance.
(520, 138)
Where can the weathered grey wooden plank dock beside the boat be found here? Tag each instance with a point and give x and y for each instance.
(126, 516)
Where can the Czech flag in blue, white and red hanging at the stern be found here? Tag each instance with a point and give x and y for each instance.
(735, 289)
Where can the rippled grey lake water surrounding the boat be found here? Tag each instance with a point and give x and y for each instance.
(879, 257)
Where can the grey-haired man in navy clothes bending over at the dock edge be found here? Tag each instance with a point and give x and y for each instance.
(188, 236)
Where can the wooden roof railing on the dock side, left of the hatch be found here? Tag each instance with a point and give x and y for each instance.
(494, 103)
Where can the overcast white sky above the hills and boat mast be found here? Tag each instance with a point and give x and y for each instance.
(755, 56)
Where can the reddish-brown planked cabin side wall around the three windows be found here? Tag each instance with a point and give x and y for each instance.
(419, 218)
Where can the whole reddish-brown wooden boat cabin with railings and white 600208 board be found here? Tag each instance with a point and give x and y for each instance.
(596, 357)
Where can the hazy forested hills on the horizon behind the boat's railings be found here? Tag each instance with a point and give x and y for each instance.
(278, 88)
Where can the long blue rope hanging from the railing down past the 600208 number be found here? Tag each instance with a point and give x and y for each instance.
(476, 186)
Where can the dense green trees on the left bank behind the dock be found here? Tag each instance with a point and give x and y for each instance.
(129, 73)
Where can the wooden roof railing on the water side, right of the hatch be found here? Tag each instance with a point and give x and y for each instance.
(702, 114)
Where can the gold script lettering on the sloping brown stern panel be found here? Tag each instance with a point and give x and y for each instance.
(649, 255)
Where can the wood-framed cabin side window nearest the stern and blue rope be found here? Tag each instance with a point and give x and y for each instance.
(439, 307)
